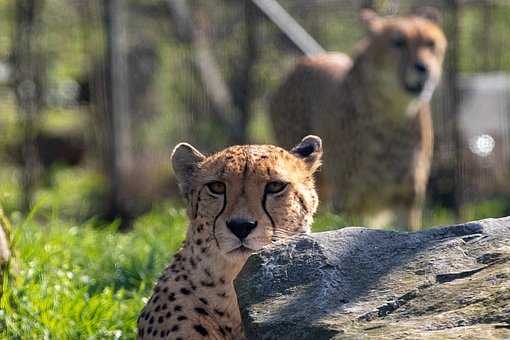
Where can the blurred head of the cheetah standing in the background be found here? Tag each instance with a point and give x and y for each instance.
(408, 50)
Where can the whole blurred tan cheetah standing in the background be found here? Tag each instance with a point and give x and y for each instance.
(378, 131)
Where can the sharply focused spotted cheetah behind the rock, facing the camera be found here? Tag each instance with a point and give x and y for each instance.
(238, 200)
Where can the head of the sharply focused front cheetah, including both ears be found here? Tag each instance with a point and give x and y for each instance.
(244, 197)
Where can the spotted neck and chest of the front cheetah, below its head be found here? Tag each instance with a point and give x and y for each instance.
(195, 297)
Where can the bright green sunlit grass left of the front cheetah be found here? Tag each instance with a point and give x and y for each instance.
(73, 282)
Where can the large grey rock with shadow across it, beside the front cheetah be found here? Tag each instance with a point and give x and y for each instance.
(357, 283)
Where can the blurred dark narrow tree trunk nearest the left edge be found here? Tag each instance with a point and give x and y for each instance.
(29, 80)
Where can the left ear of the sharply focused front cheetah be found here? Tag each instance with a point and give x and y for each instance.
(185, 160)
